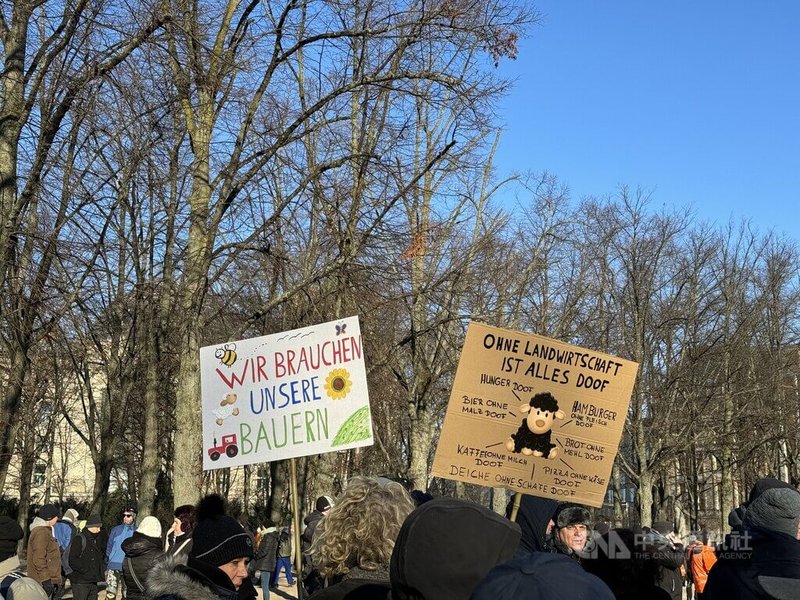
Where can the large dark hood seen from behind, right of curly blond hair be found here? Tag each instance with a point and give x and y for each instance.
(446, 546)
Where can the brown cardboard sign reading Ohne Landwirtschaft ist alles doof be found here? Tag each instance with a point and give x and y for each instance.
(534, 415)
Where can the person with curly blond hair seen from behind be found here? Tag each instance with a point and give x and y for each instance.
(353, 543)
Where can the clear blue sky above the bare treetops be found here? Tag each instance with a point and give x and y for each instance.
(696, 102)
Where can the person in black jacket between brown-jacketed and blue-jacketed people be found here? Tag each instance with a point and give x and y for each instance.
(87, 559)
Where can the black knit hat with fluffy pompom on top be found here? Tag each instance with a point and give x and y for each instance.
(217, 538)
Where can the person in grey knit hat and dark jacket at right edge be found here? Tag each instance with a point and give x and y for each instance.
(766, 563)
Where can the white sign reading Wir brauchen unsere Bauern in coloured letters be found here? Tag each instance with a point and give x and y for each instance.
(290, 394)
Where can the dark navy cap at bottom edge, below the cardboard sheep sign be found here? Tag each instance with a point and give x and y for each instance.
(541, 576)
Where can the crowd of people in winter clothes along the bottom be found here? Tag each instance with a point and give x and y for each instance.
(377, 541)
